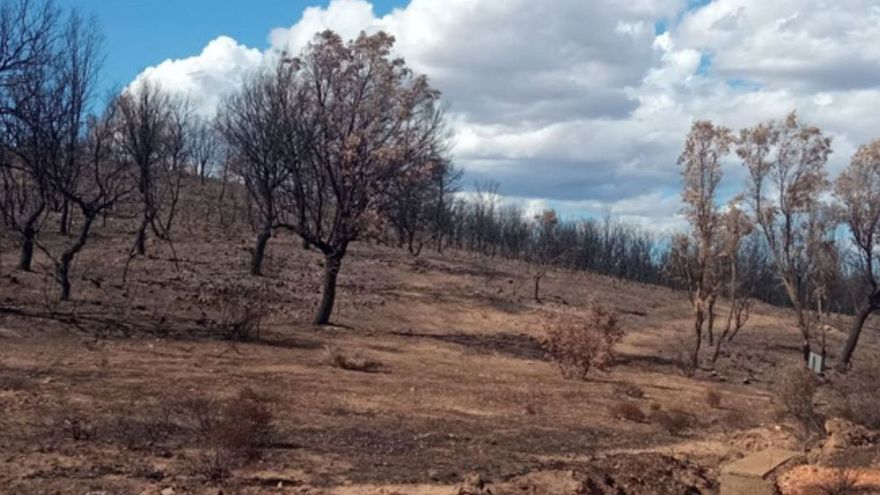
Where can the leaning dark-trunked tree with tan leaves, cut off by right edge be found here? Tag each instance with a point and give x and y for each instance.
(858, 191)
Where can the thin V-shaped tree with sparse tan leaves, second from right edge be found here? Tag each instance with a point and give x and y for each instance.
(786, 165)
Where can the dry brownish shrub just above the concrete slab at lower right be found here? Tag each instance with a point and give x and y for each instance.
(795, 389)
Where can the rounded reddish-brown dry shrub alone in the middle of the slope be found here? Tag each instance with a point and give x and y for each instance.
(579, 345)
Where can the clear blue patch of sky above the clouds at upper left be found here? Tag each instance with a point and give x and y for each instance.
(141, 33)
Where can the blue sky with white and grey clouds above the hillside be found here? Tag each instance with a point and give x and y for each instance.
(578, 105)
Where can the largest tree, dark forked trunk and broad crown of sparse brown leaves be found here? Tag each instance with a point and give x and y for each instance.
(367, 120)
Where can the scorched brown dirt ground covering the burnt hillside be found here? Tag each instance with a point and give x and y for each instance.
(460, 386)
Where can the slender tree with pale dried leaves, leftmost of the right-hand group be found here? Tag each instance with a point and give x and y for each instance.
(705, 147)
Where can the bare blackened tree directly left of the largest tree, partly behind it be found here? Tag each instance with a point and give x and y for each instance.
(256, 124)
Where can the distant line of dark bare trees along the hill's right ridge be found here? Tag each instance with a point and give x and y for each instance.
(483, 223)
